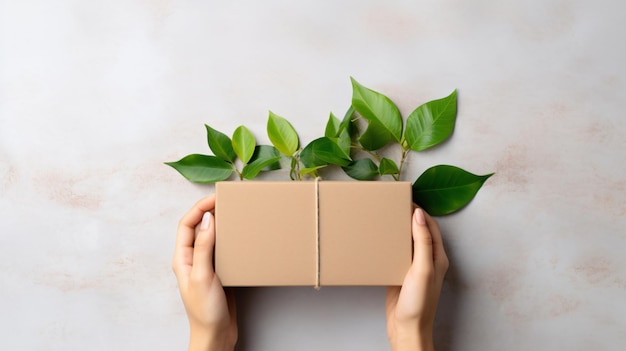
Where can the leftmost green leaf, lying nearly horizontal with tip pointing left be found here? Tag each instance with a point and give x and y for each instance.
(202, 168)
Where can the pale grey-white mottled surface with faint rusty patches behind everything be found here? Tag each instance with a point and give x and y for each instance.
(95, 95)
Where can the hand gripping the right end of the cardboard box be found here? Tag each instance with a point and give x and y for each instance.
(411, 308)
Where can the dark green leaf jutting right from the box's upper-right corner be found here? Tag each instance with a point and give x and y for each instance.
(444, 189)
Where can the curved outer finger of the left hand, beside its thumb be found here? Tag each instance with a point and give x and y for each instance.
(185, 236)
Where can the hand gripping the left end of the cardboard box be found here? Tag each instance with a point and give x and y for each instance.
(211, 311)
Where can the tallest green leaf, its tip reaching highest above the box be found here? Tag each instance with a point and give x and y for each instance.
(379, 111)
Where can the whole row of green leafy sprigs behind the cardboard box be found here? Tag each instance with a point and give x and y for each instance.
(440, 190)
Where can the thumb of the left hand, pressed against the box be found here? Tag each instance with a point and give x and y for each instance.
(202, 268)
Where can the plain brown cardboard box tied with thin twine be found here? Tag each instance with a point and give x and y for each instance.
(313, 233)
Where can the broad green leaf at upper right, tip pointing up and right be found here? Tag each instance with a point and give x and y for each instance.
(431, 123)
